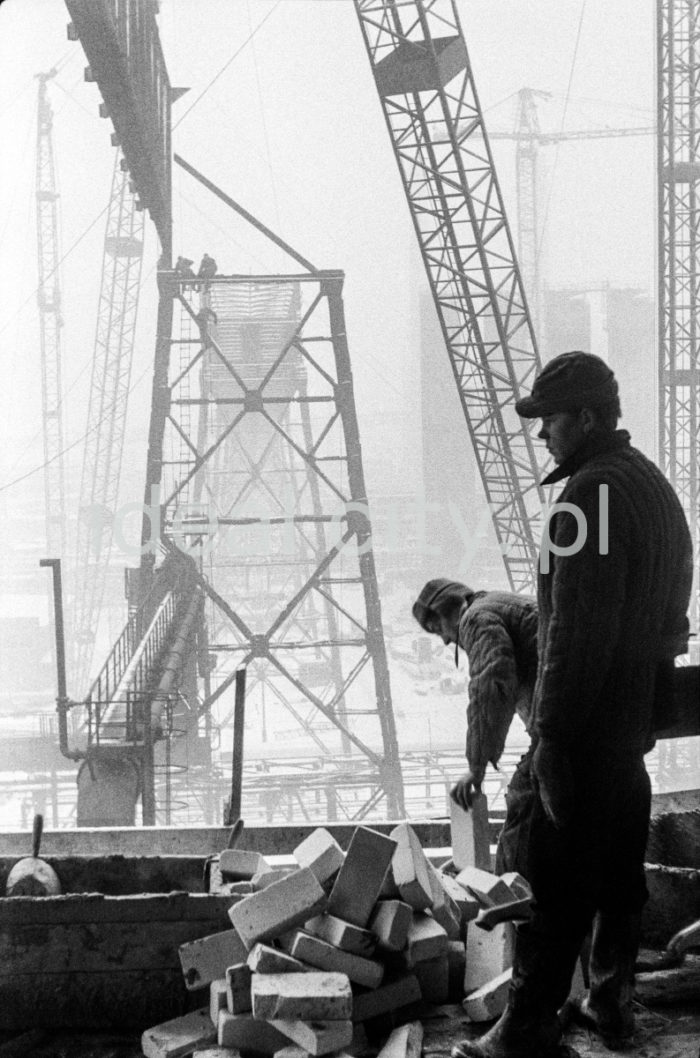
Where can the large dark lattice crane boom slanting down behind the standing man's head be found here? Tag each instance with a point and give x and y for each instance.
(427, 87)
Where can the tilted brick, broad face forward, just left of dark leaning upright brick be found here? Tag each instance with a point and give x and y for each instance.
(279, 908)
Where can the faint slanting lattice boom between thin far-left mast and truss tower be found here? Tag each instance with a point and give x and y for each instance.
(107, 410)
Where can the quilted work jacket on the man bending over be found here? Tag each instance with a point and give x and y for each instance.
(499, 631)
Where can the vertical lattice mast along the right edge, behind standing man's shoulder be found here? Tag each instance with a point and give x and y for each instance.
(678, 42)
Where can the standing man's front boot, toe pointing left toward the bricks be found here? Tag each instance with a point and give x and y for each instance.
(546, 953)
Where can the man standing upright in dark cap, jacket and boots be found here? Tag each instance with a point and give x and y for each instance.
(614, 589)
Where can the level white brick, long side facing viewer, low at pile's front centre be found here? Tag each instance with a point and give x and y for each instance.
(302, 997)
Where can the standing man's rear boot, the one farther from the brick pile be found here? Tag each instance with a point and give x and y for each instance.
(609, 1007)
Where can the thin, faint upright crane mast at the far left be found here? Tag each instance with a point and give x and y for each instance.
(50, 324)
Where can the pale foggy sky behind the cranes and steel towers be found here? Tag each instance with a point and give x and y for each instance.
(282, 113)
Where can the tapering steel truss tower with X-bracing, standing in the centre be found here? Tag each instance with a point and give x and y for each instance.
(262, 481)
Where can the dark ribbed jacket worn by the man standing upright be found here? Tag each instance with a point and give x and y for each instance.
(614, 608)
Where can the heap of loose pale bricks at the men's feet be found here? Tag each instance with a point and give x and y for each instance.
(319, 954)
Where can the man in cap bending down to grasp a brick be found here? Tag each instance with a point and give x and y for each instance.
(499, 633)
